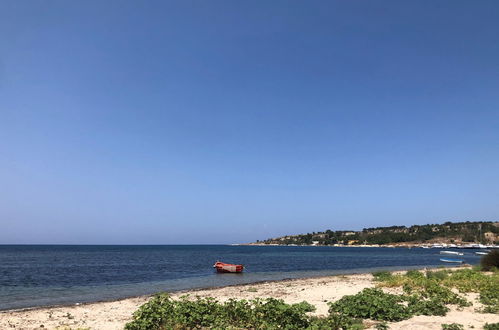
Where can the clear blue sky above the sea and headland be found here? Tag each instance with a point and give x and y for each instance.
(168, 122)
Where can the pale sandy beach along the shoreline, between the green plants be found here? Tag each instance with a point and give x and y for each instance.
(317, 291)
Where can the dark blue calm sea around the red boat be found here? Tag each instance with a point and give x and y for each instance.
(49, 275)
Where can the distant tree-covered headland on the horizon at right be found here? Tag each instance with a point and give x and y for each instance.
(477, 232)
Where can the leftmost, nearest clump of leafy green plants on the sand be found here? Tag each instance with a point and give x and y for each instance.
(162, 312)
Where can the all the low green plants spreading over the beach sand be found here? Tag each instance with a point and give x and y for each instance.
(427, 293)
